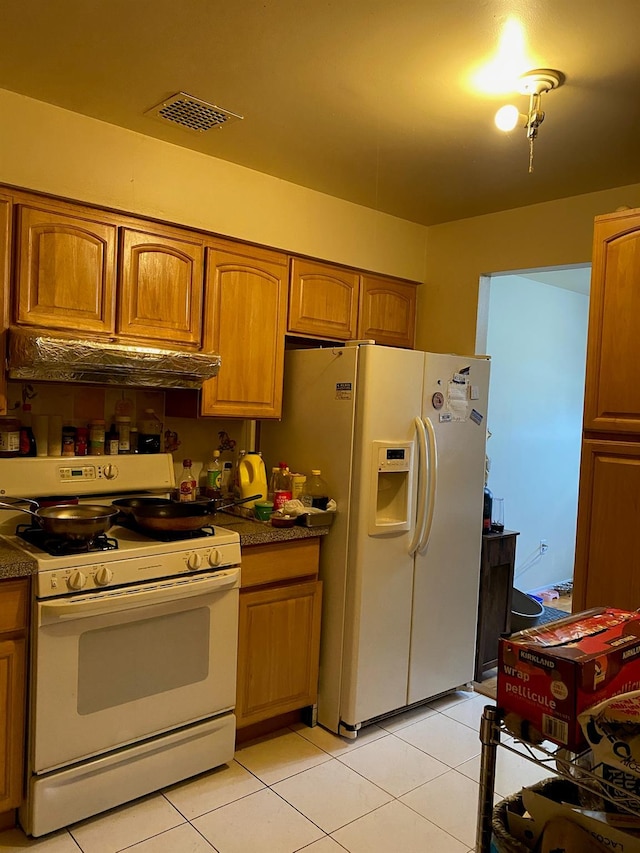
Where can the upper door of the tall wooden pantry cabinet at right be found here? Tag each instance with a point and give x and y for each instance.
(612, 391)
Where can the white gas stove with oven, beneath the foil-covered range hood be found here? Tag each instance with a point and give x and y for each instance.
(133, 643)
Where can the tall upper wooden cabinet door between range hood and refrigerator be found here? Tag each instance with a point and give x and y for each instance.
(245, 316)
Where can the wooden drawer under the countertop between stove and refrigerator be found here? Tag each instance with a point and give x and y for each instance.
(265, 564)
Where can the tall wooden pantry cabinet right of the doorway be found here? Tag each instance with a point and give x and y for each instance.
(607, 566)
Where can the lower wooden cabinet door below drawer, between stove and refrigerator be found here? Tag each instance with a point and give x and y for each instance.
(278, 650)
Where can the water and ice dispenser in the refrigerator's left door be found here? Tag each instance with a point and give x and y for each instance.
(392, 481)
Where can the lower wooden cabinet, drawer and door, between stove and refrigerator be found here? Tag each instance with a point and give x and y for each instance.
(279, 630)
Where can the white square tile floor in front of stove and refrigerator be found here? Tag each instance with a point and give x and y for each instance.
(407, 785)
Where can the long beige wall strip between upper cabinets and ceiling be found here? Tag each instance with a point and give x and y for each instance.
(52, 150)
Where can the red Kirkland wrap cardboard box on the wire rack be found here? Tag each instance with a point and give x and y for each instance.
(549, 675)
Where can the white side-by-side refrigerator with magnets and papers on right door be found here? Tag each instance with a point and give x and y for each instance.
(400, 438)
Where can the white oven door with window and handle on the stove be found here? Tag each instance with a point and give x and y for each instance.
(118, 666)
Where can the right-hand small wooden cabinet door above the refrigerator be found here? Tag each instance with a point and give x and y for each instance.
(387, 311)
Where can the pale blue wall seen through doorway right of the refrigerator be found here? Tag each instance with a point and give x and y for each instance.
(533, 324)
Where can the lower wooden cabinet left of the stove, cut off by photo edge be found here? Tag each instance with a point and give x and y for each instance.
(14, 596)
